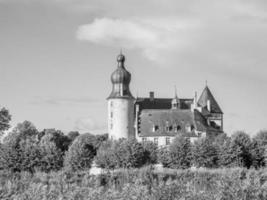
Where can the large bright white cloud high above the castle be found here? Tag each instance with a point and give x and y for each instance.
(151, 36)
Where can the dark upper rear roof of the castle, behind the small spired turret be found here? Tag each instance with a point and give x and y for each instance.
(161, 103)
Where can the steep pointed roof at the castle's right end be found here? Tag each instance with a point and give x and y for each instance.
(207, 95)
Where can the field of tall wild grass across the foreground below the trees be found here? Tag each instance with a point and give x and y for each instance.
(144, 183)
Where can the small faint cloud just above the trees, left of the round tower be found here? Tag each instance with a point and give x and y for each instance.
(89, 124)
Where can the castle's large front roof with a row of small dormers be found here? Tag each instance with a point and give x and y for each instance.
(171, 117)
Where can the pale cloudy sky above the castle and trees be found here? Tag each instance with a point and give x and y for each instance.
(56, 57)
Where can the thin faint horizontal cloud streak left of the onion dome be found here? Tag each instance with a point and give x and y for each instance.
(62, 100)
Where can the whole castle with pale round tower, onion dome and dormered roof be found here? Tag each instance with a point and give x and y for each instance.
(159, 119)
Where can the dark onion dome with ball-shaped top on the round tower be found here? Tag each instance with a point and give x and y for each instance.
(120, 80)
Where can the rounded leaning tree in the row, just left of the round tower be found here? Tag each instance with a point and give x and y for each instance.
(81, 153)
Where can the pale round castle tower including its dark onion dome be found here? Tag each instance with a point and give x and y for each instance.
(120, 103)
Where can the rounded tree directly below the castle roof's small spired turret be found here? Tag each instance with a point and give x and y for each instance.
(180, 153)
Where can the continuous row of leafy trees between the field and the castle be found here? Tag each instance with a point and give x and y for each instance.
(27, 149)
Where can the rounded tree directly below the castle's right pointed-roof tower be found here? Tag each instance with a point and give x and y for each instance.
(205, 153)
